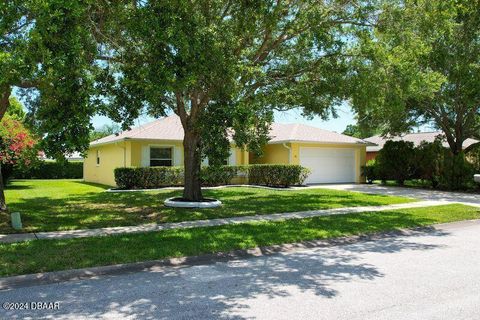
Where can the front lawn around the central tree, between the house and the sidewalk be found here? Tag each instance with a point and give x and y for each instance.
(48, 205)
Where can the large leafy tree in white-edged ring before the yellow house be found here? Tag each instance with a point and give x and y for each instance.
(223, 66)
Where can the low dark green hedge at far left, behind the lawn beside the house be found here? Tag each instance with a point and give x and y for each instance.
(50, 170)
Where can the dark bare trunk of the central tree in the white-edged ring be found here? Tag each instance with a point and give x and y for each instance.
(192, 163)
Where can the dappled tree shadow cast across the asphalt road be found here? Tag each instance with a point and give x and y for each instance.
(223, 289)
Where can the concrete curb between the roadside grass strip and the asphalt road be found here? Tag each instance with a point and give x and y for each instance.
(36, 279)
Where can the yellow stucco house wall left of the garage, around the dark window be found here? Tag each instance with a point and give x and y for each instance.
(133, 153)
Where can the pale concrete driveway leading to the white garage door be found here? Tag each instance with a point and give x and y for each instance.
(423, 194)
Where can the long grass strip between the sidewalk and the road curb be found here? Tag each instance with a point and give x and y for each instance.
(51, 255)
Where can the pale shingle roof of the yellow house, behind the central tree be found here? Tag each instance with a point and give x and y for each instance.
(170, 128)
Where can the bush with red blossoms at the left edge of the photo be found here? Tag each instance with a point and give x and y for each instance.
(16, 145)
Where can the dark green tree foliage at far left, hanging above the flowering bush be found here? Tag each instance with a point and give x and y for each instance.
(48, 50)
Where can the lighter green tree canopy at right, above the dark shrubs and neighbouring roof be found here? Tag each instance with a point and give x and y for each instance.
(420, 64)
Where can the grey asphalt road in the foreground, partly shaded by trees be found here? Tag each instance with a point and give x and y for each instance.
(432, 274)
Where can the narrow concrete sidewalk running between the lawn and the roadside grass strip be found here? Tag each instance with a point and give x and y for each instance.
(10, 238)
